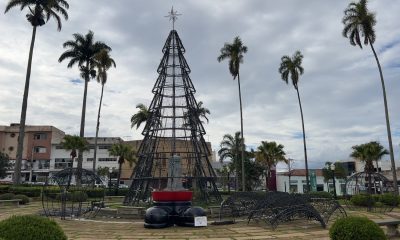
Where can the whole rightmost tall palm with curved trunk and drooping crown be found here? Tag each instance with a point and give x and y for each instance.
(359, 21)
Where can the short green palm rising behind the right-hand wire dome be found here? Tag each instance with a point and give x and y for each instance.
(367, 153)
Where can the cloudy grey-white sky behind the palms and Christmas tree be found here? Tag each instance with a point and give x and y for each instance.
(340, 89)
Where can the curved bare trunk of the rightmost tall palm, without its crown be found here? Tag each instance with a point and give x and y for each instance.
(396, 189)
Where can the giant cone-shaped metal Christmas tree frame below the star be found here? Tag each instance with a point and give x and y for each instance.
(173, 129)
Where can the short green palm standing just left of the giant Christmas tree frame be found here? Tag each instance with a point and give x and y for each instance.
(124, 153)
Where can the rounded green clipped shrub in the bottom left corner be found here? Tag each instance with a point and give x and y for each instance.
(29, 227)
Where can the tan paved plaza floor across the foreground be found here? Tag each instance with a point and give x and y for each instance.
(100, 229)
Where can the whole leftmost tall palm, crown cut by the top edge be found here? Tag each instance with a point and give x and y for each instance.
(39, 13)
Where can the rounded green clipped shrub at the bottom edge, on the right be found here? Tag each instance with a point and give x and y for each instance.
(356, 228)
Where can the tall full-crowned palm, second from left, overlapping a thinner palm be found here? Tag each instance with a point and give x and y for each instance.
(82, 51)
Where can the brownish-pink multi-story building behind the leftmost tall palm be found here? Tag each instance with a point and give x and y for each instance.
(36, 153)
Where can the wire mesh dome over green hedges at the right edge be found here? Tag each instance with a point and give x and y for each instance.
(370, 191)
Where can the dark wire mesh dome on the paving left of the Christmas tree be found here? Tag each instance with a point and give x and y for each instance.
(63, 197)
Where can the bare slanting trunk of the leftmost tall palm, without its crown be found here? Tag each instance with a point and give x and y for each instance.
(20, 147)
